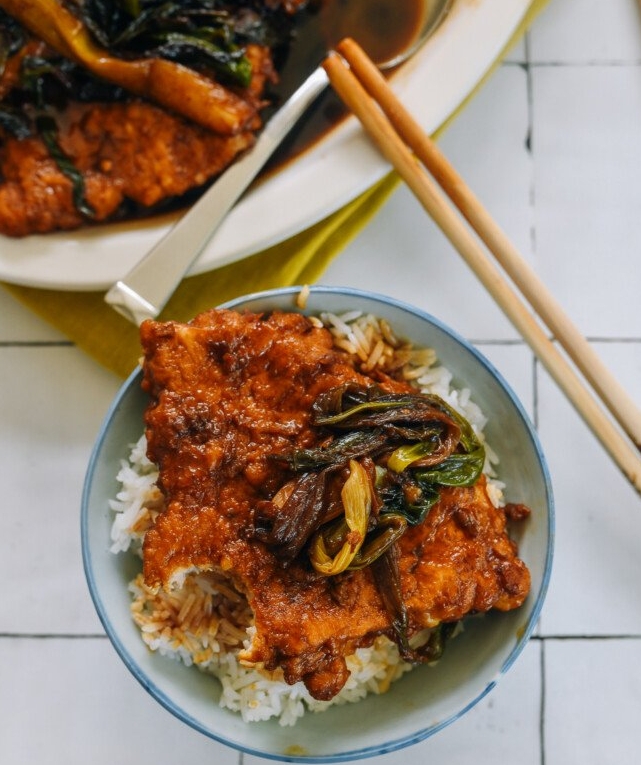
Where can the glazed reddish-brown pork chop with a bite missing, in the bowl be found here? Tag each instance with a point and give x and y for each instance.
(230, 391)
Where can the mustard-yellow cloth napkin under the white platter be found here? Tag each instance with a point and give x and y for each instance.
(113, 341)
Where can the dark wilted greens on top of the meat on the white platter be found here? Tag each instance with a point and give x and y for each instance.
(206, 36)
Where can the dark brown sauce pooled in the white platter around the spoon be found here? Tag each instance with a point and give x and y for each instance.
(384, 28)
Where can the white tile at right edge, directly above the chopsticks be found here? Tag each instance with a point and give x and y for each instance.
(588, 193)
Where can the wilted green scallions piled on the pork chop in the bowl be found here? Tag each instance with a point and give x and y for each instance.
(401, 449)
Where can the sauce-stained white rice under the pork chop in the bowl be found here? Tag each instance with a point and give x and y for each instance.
(206, 622)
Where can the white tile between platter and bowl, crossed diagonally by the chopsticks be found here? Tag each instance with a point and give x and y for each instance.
(500, 174)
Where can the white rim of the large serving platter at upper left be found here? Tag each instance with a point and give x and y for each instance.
(337, 170)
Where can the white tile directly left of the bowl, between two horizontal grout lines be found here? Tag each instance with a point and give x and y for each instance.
(50, 417)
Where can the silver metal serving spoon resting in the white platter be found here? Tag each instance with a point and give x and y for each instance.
(145, 290)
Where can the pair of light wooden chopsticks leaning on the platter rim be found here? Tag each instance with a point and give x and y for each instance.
(364, 90)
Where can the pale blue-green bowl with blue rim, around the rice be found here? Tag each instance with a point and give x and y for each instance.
(424, 700)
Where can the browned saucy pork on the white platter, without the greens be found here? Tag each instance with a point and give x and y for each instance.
(132, 152)
